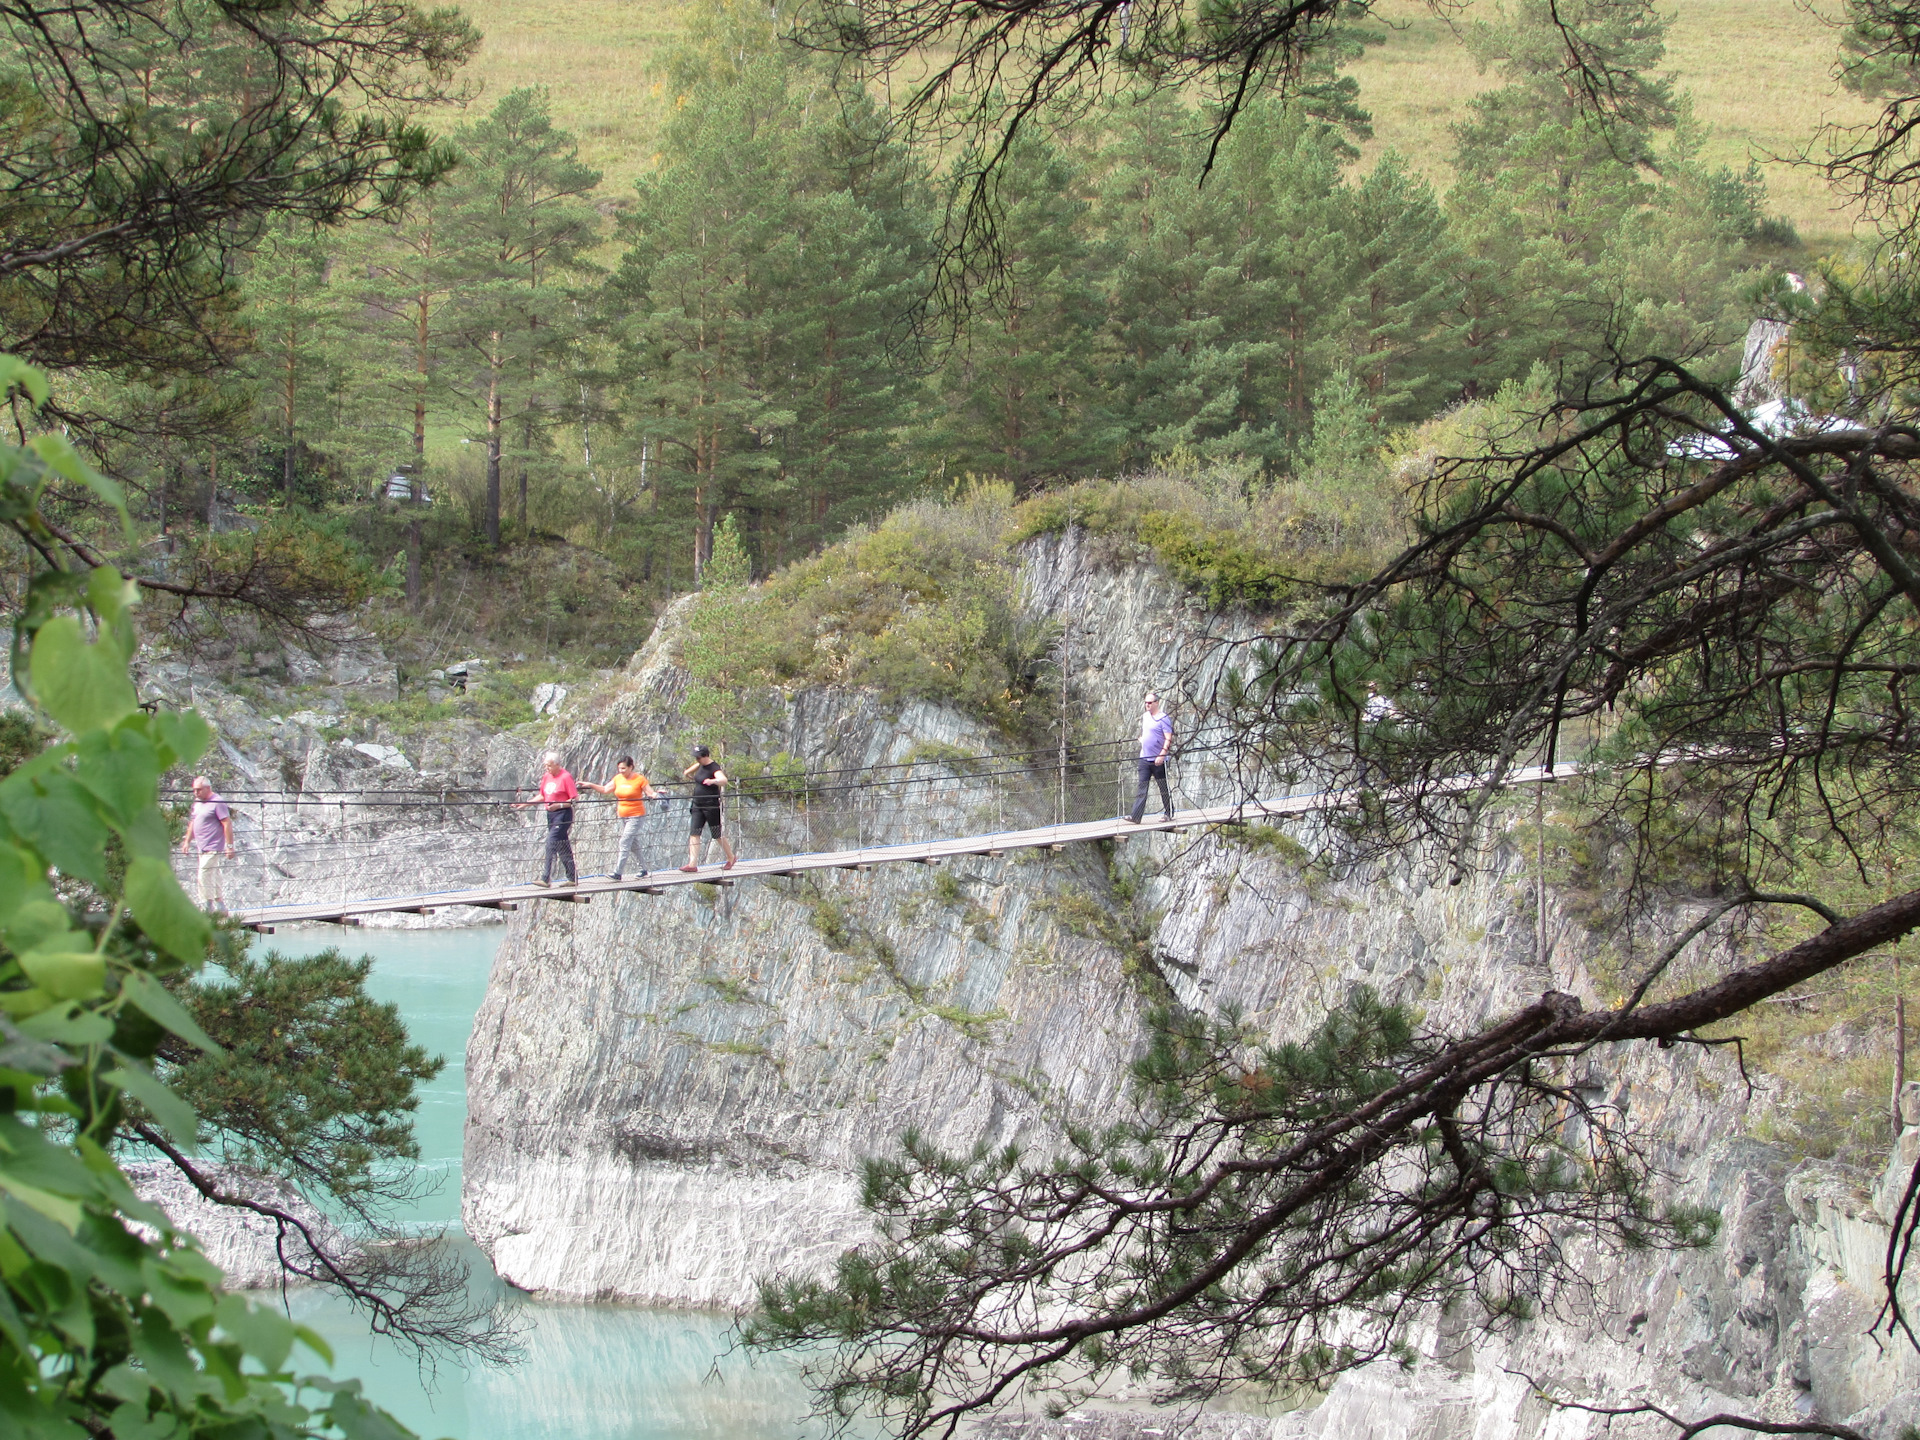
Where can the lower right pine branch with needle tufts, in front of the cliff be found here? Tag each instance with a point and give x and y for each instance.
(1276, 1214)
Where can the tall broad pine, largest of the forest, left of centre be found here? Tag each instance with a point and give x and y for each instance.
(765, 304)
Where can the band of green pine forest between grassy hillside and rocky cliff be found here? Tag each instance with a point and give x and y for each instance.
(516, 373)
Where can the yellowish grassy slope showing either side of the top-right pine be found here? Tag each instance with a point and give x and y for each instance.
(1758, 70)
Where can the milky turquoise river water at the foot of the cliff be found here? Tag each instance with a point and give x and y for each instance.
(590, 1372)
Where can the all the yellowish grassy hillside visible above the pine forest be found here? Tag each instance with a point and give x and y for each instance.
(1758, 72)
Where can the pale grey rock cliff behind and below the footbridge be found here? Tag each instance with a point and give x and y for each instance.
(671, 1095)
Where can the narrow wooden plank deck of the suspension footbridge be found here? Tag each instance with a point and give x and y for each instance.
(928, 853)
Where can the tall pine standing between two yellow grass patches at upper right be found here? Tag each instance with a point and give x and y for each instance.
(1581, 239)
